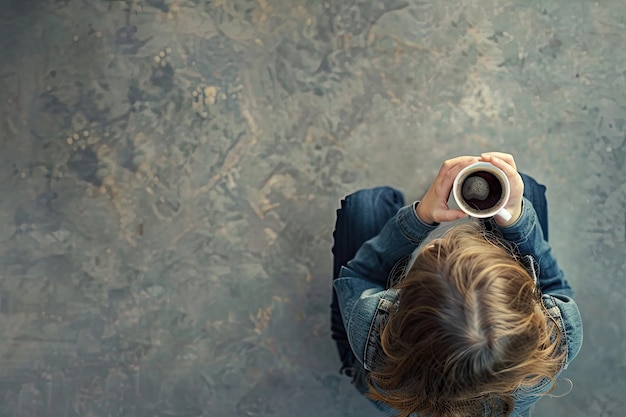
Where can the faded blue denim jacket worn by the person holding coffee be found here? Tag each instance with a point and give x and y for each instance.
(365, 300)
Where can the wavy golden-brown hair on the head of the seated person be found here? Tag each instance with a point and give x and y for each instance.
(468, 330)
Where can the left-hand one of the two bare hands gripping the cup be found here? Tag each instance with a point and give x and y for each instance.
(433, 207)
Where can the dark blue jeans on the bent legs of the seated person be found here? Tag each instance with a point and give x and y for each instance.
(361, 217)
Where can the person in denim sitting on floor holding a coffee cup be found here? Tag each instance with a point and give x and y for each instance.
(477, 320)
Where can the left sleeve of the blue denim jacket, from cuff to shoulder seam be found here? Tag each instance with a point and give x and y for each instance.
(400, 236)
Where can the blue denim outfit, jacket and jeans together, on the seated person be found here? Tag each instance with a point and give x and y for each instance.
(375, 231)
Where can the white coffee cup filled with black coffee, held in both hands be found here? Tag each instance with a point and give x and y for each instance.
(482, 190)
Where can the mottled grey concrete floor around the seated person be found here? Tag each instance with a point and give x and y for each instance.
(169, 172)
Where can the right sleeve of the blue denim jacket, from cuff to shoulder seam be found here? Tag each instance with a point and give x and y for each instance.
(526, 234)
